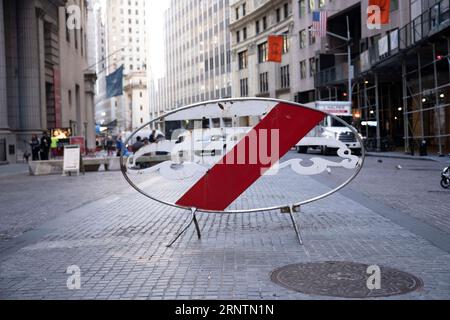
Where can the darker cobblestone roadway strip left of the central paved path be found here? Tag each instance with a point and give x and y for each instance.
(27, 201)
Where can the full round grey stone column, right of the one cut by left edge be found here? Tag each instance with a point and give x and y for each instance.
(28, 67)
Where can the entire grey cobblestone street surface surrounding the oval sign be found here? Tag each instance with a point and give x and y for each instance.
(395, 214)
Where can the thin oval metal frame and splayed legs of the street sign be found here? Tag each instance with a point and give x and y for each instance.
(288, 208)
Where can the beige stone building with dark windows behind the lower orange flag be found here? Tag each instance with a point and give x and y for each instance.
(251, 24)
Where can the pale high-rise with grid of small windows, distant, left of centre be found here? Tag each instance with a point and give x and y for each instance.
(127, 39)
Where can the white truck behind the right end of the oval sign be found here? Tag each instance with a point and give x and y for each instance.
(331, 133)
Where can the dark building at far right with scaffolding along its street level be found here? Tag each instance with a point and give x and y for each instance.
(401, 84)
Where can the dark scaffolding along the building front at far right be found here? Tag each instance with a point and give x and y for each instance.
(401, 94)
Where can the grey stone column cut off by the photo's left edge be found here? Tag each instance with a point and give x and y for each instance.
(3, 92)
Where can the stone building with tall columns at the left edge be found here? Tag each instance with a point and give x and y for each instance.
(44, 81)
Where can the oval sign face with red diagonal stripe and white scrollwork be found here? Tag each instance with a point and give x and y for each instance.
(239, 155)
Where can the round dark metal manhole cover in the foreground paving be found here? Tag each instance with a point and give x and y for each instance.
(343, 280)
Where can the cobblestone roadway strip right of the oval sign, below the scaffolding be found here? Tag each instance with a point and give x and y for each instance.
(410, 186)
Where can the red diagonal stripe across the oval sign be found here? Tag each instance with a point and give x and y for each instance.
(224, 183)
